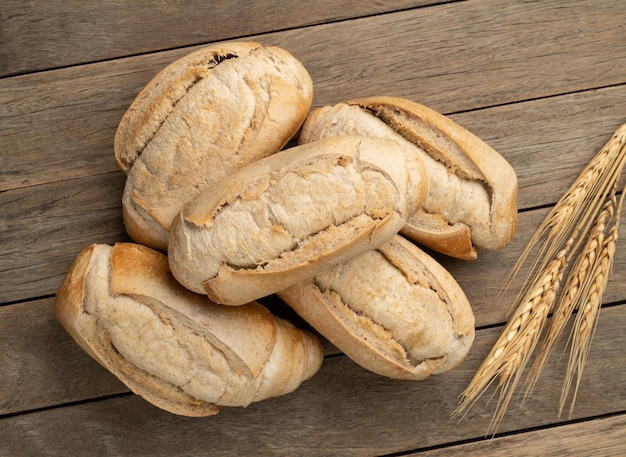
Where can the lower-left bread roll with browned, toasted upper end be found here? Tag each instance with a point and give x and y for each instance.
(177, 349)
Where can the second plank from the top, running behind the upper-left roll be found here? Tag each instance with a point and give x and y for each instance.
(489, 59)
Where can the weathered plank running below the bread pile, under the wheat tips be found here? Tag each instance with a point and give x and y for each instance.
(343, 410)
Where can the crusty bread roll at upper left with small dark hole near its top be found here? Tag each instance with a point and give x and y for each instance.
(204, 115)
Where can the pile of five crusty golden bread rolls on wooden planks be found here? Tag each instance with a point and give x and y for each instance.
(223, 212)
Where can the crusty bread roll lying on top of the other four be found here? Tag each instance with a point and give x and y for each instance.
(288, 216)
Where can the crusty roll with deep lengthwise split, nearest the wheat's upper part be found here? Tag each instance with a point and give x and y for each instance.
(472, 197)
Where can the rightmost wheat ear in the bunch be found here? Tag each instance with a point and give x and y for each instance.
(589, 308)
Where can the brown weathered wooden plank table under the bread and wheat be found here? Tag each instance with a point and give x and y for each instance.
(544, 83)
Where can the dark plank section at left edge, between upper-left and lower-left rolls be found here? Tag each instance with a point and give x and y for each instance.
(43, 228)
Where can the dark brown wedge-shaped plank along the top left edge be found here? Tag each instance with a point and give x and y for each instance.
(42, 35)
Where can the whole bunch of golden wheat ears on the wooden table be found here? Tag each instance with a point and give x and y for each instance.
(554, 243)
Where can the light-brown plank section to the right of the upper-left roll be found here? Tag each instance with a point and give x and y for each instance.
(462, 55)
